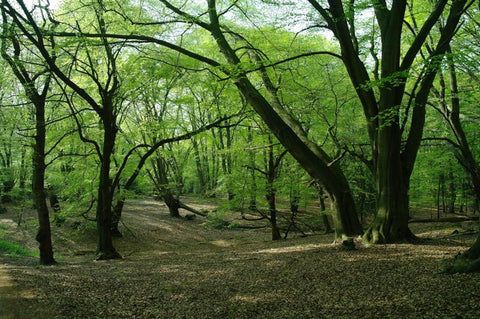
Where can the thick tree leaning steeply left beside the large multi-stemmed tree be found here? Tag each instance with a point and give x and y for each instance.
(314, 159)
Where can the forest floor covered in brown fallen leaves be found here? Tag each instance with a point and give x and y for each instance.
(178, 268)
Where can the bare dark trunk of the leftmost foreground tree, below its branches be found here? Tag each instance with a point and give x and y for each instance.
(44, 236)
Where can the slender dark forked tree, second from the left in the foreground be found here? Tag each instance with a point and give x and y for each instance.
(105, 102)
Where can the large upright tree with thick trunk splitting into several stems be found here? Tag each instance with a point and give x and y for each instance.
(383, 96)
